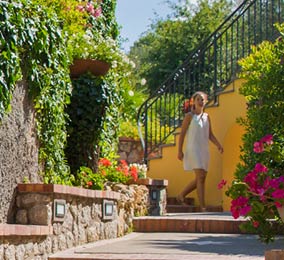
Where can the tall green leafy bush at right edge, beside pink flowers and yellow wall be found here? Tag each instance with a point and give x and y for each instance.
(263, 71)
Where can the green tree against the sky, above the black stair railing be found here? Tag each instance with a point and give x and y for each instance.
(169, 41)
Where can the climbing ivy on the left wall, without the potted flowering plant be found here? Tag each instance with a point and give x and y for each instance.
(35, 47)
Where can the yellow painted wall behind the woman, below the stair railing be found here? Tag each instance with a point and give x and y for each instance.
(223, 118)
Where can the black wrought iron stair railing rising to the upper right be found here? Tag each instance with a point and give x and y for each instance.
(210, 68)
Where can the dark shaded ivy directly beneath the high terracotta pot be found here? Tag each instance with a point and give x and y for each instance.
(90, 96)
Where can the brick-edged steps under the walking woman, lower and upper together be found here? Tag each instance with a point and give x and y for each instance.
(188, 218)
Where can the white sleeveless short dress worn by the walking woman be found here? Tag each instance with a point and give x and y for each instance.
(196, 155)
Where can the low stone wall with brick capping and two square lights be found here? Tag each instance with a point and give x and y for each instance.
(84, 220)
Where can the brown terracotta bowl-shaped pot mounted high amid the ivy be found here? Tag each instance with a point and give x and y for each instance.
(82, 66)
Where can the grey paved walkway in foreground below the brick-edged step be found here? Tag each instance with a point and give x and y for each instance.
(170, 246)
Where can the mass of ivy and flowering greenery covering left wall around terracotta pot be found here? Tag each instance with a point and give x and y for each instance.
(39, 39)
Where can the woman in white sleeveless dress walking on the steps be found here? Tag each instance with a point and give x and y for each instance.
(197, 130)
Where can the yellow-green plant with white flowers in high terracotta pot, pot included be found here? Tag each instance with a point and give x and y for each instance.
(90, 35)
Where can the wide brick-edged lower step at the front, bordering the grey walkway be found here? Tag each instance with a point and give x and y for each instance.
(207, 222)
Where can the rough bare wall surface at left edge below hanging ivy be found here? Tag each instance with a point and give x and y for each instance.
(18, 149)
